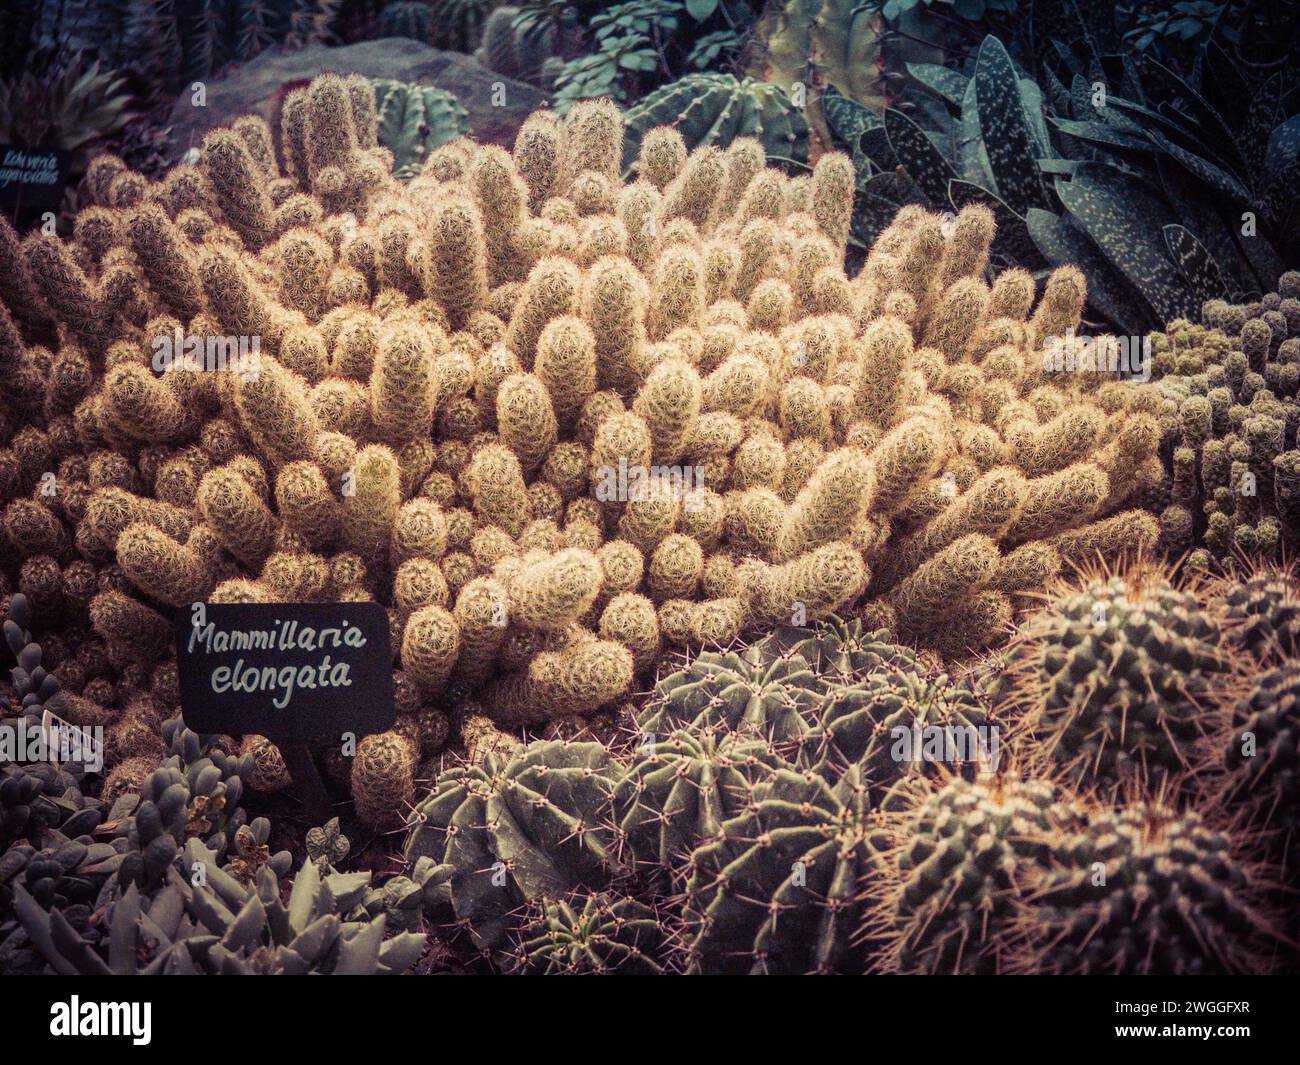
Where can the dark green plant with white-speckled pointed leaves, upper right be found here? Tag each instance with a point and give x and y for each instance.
(1123, 168)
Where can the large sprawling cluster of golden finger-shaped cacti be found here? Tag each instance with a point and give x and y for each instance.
(452, 371)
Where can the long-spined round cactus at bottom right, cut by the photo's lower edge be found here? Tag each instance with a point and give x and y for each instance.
(1147, 891)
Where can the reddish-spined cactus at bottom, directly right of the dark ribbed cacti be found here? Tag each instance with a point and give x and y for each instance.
(955, 859)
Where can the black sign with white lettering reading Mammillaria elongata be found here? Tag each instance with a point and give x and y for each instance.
(292, 673)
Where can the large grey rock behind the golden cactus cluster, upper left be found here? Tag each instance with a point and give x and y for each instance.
(259, 88)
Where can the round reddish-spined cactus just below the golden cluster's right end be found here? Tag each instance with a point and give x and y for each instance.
(1115, 679)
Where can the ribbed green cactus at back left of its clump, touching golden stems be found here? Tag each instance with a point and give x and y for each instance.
(730, 691)
